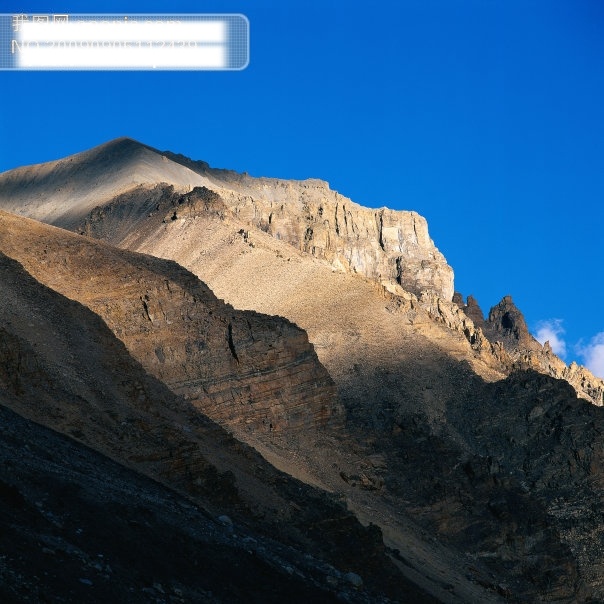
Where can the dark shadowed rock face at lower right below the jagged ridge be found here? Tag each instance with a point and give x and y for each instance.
(507, 498)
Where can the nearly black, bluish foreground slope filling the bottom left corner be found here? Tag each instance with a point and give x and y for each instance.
(77, 527)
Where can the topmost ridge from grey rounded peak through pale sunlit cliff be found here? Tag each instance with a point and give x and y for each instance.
(380, 244)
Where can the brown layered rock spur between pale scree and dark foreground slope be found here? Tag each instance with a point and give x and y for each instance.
(240, 368)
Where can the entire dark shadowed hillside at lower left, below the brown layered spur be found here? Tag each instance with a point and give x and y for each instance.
(77, 525)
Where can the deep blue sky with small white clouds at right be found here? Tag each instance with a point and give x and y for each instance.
(486, 116)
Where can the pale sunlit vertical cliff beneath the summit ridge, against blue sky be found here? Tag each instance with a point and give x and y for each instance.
(384, 245)
